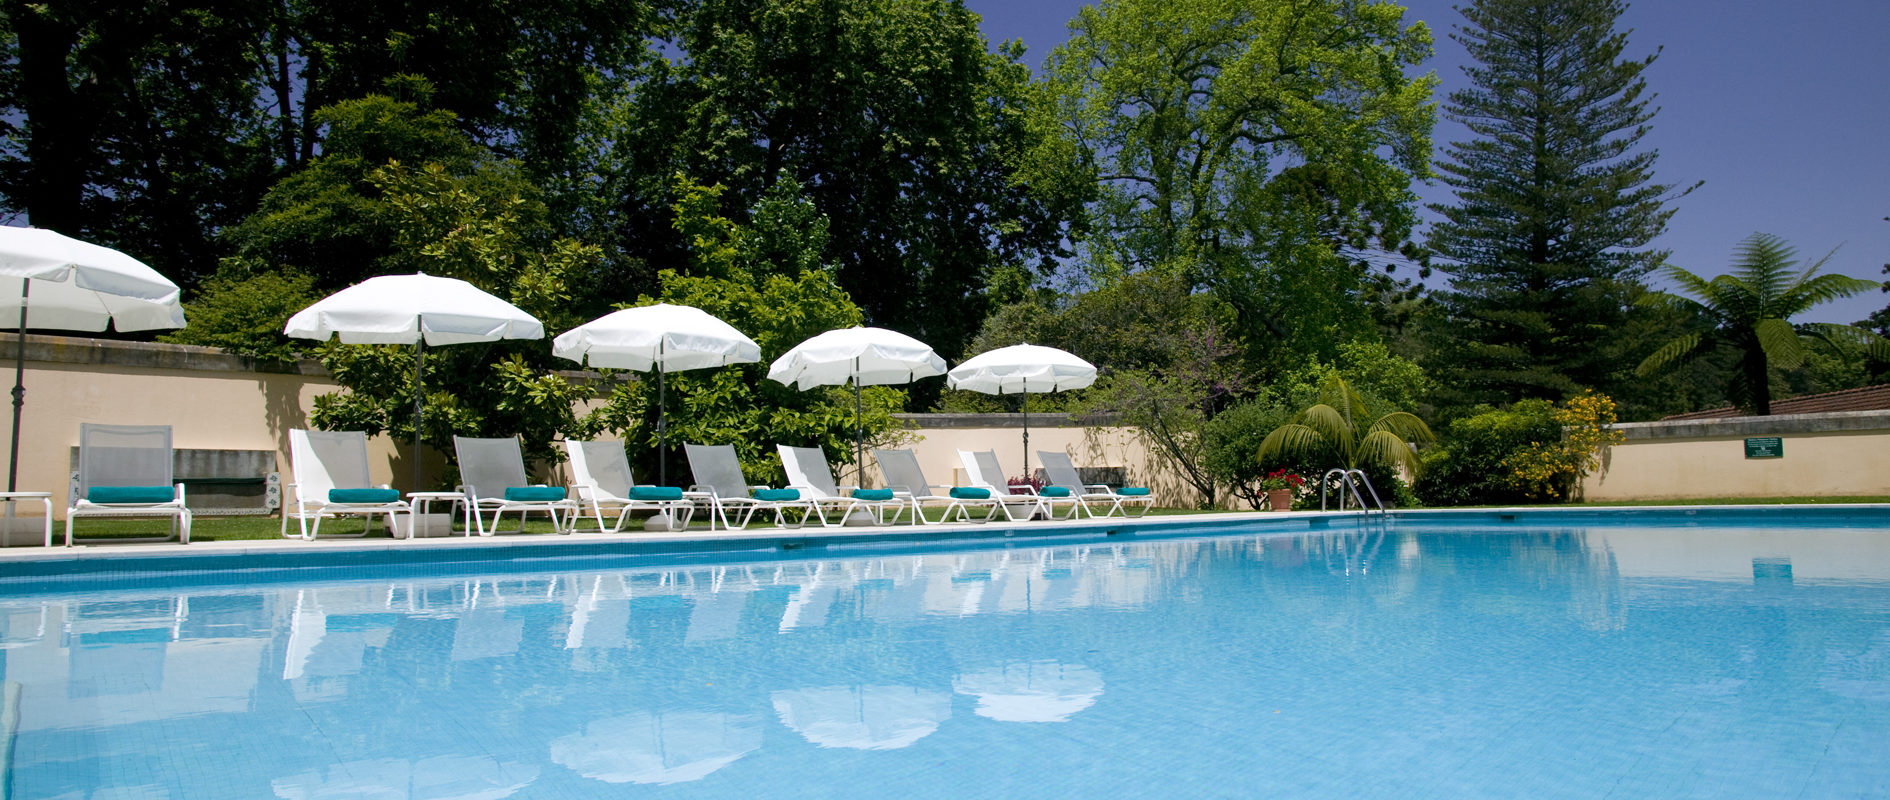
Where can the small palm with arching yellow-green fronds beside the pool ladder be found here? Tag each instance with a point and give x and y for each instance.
(1343, 430)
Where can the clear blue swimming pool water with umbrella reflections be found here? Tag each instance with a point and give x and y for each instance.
(1405, 661)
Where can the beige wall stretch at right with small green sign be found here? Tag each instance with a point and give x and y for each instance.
(1823, 457)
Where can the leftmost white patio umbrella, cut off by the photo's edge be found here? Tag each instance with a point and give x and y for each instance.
(80, 288)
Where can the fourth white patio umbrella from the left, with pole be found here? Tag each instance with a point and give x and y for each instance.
(867, 357)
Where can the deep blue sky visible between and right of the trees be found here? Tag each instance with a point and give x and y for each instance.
(1781, 109)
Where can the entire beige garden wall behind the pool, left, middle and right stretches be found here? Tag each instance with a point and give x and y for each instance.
(218, 402)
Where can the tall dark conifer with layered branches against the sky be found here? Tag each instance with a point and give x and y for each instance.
(1556, 203)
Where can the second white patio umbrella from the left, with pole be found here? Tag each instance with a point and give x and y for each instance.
(413, 309)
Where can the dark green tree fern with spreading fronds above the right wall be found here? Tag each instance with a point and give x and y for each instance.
(1751, 311)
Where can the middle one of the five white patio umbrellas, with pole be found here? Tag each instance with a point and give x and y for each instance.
(662, 338)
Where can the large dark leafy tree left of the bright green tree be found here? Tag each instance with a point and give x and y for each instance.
(895, 116)
